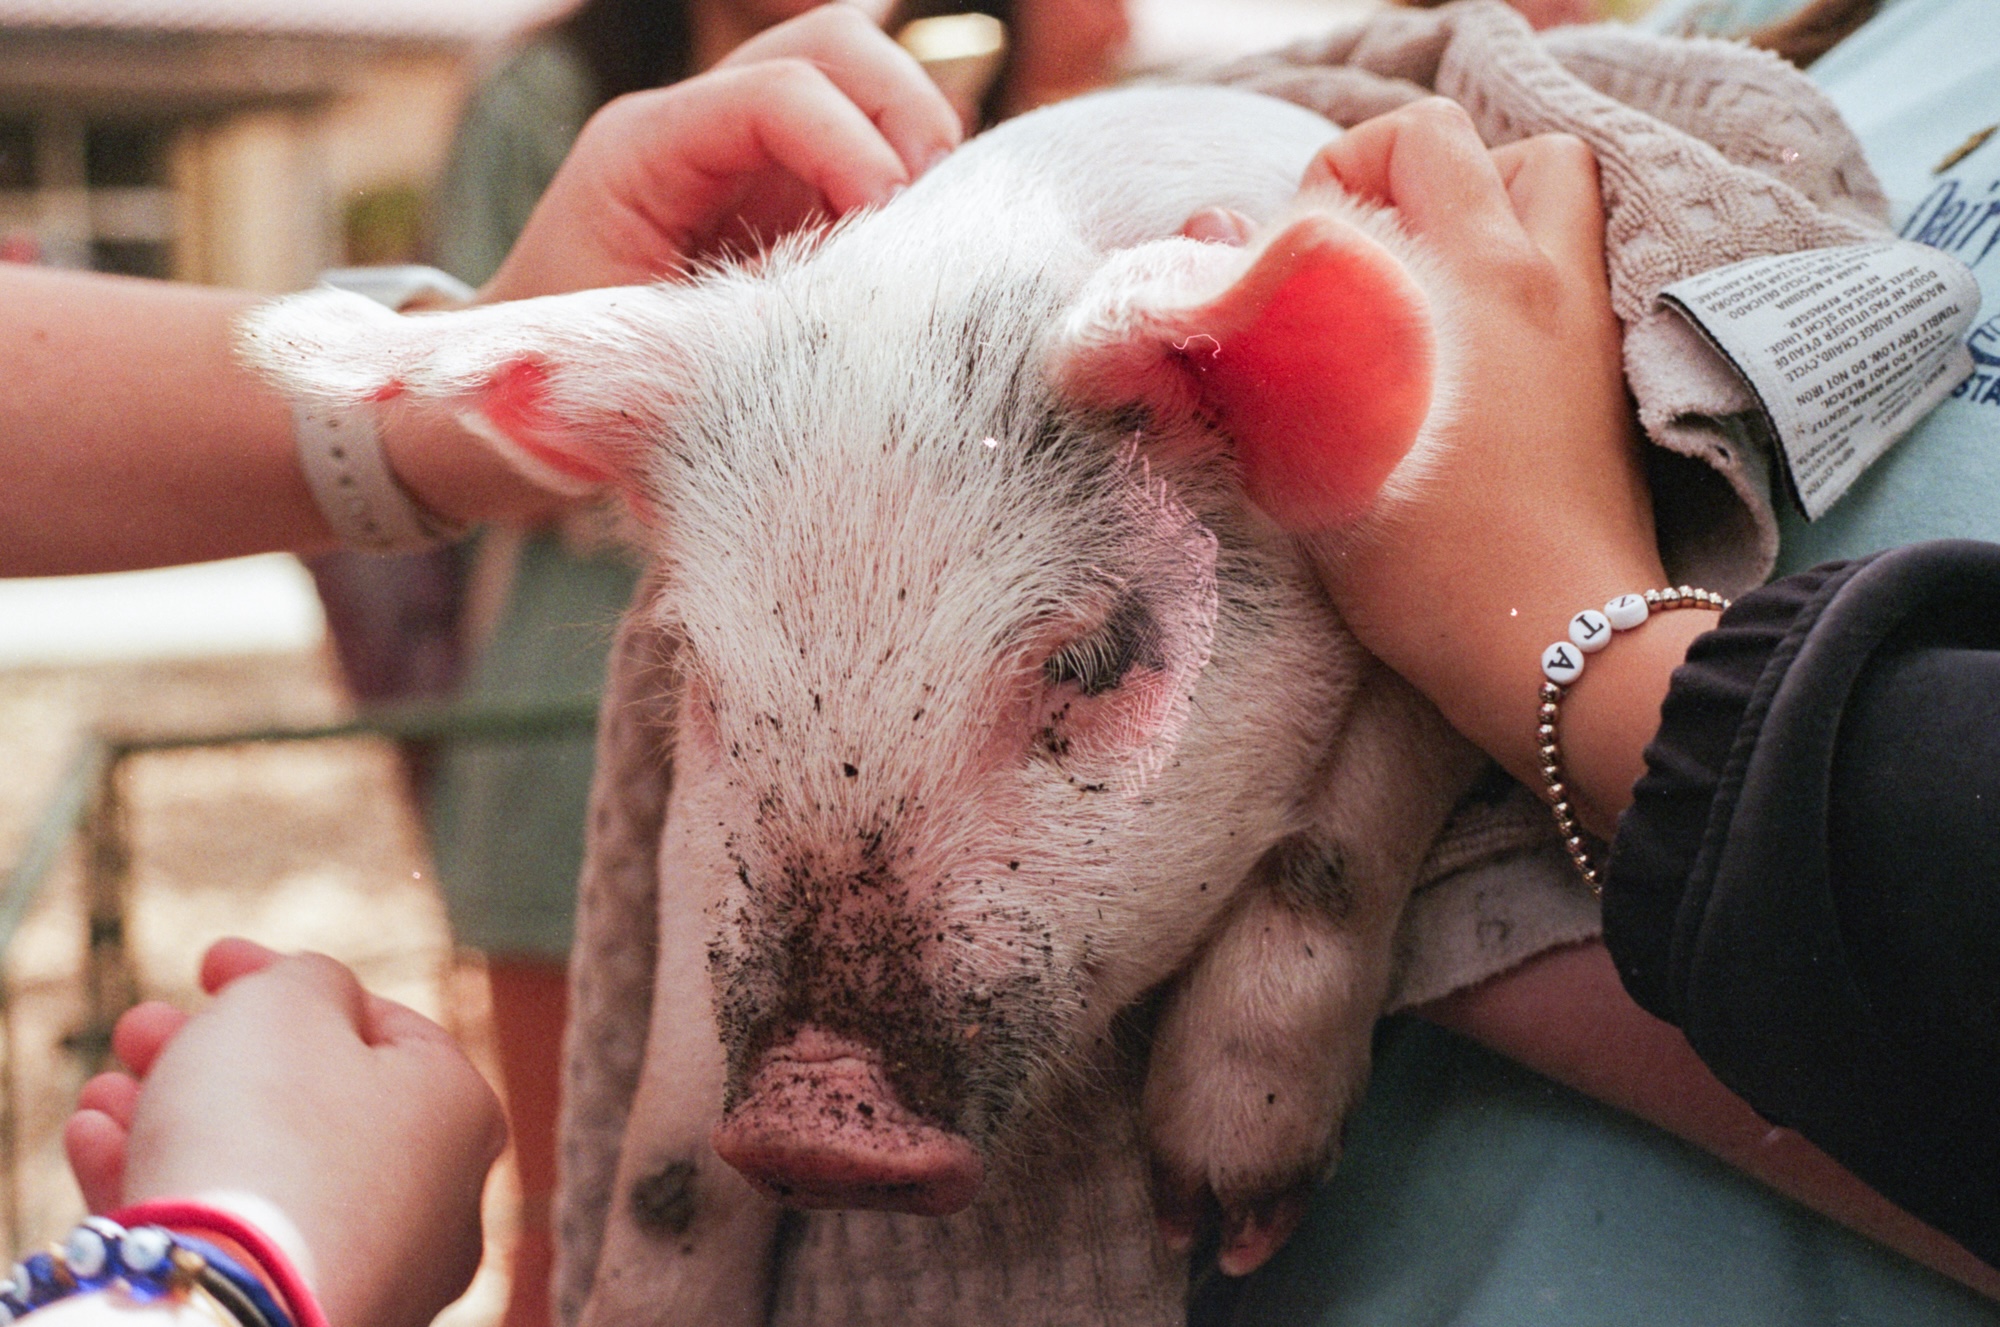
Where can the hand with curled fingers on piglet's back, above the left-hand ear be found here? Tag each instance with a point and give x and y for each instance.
(817, 117)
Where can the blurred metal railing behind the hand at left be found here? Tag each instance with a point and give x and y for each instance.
(89, 804)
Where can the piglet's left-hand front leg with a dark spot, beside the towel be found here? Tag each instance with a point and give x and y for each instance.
(687, 1240)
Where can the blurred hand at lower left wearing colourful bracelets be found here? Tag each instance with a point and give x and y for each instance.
(355, 1116)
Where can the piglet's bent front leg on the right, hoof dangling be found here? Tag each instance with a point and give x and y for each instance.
(1263, 1046)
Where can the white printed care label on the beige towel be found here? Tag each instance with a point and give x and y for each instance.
(1847, 349)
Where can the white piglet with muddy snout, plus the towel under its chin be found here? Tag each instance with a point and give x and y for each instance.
(1027, 832)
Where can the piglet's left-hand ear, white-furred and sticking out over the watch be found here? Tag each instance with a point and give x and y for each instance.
(569, 389)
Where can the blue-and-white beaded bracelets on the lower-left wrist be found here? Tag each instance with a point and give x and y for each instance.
(145, 1262)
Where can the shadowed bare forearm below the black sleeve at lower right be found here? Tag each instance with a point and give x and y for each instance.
(1567, 1016)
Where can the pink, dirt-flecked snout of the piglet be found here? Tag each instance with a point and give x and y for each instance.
(821, 1126)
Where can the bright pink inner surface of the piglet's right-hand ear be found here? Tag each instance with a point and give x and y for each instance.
(1321, 365)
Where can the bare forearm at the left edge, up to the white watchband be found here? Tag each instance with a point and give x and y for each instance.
(131, 435)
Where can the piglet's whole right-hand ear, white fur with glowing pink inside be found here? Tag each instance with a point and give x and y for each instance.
(1315, 351)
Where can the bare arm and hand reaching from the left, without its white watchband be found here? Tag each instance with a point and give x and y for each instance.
(131, 437)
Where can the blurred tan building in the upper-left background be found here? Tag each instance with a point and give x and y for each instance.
(241, 143)
